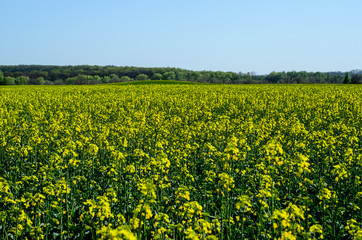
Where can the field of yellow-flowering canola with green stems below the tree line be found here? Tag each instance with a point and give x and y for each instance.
(181, 162)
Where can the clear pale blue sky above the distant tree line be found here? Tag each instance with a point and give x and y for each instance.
(239, 36)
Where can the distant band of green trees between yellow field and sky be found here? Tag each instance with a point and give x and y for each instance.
(85, 74)
